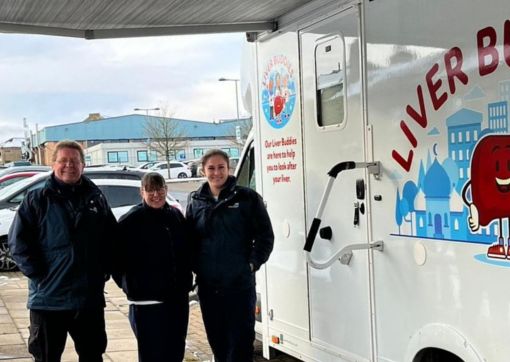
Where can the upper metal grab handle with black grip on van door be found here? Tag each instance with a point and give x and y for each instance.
(373, 168)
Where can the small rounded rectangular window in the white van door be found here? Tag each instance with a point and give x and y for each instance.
(330, 78)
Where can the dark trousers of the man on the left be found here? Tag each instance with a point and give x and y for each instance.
(48, 334)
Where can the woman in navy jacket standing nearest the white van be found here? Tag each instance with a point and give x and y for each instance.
(233, 237)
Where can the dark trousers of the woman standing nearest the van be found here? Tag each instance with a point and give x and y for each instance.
(229, 320)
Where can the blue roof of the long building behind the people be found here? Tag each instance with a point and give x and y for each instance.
(132, 127)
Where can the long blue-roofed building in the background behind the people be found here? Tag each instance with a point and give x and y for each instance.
(125, 139)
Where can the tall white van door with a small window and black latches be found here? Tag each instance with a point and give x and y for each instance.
(333, 126)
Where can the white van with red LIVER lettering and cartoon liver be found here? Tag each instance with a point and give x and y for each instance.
(382, 148)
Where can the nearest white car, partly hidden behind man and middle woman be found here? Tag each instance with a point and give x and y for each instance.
(122, 195)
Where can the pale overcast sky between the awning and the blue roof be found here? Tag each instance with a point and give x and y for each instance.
(56, 80)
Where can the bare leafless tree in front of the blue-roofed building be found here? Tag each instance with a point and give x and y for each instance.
(165, 135)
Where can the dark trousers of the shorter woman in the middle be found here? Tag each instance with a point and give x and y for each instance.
(160, 329)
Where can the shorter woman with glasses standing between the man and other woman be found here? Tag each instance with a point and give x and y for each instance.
(153, 269)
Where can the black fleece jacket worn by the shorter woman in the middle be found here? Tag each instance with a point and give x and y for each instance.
(153, 254)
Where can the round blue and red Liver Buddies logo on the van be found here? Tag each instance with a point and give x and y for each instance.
(278, 93)
